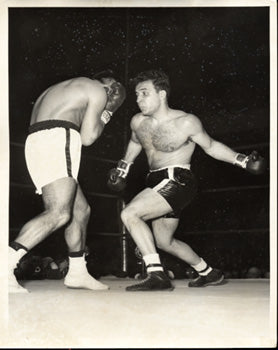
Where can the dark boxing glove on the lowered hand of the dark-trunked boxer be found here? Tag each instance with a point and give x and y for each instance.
(117, 176)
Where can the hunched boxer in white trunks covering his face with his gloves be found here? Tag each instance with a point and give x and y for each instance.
(65, 117)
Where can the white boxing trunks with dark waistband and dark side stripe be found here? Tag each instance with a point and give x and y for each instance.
(52, 152)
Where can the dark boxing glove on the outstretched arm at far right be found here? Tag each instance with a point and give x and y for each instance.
(254, 163)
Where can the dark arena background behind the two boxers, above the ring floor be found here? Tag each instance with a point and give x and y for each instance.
(218, 63)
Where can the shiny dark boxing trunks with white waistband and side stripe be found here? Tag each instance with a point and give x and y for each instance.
(177, 185)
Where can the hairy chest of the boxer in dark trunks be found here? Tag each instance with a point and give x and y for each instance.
(164, 137)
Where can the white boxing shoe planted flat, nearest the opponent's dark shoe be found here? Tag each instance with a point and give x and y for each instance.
(79, 277)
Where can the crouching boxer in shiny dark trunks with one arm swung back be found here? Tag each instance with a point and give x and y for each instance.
(169, 138)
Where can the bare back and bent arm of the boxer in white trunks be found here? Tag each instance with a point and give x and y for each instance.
(79, 100)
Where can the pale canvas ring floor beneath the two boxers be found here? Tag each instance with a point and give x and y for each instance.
(234, 314)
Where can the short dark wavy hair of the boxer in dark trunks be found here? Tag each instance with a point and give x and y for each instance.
(159, 79)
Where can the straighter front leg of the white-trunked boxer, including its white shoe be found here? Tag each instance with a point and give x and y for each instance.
(75, 236)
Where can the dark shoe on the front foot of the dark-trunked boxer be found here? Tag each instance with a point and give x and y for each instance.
(156, 280)
